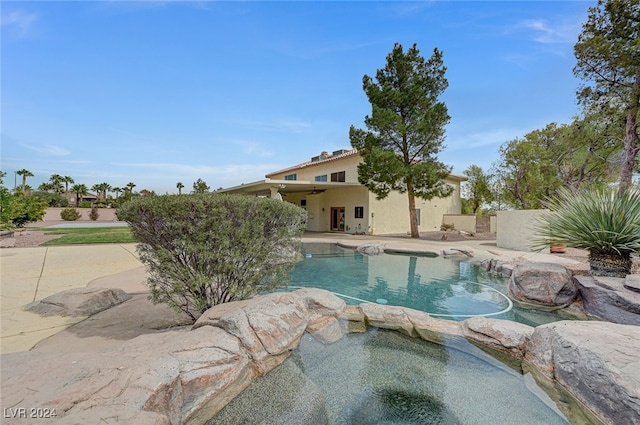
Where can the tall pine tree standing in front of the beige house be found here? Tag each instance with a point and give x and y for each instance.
(405, 131)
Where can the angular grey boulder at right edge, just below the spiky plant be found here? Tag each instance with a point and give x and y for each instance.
(608, 298)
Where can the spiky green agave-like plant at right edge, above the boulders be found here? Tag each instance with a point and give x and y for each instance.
(603, 221)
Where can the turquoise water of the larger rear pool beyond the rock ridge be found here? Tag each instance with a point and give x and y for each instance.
(453, 289)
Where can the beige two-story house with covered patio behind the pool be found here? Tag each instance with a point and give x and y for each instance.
(327, 187)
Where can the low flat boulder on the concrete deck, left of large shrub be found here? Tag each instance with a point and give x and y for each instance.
(78, 302)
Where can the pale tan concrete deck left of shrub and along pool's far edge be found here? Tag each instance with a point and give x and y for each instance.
(30, 274)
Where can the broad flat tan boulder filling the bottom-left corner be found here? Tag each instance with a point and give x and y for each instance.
(184, 377)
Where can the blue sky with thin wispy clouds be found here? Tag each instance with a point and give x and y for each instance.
(158, 92)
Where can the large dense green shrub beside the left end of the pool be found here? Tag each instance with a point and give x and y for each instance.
(206, 249)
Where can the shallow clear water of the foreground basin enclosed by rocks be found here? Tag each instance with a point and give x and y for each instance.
(384, 377)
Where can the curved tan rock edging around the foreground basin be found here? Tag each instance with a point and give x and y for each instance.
(186, 376)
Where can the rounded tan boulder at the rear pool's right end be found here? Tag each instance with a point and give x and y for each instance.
(544, 284)
